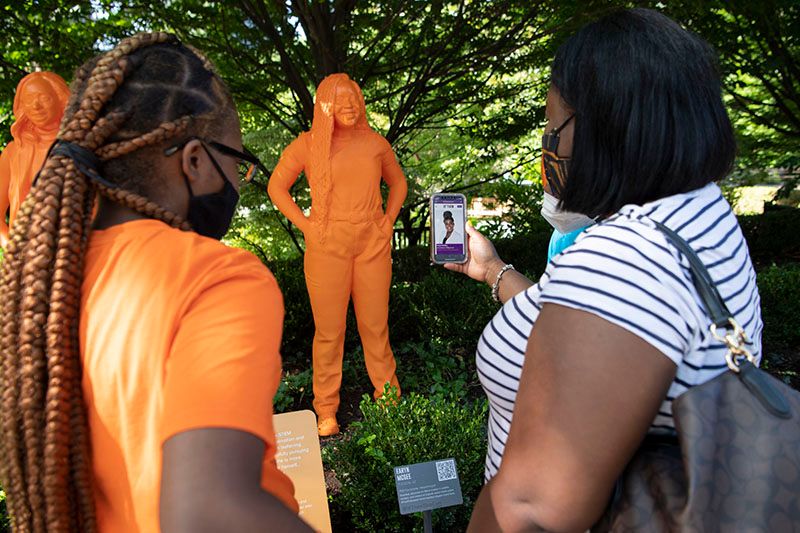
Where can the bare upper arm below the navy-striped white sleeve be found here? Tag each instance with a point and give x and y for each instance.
(588, 392)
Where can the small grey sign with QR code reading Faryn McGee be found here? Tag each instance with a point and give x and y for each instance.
(426, 486)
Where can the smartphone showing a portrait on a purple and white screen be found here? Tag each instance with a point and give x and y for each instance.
(448, 231)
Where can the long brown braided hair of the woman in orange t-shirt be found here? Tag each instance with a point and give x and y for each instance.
(124, 105)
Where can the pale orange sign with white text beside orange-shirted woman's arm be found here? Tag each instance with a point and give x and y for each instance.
(299, 458)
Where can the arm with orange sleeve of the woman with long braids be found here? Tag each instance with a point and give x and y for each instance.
(219, 378)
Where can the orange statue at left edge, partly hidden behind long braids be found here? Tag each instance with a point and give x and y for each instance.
(38, 107)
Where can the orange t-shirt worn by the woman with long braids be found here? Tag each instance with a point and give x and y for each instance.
(177, 332)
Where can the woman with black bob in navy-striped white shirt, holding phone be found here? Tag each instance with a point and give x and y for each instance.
(579, 366)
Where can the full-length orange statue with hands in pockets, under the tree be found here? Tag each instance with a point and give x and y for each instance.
(348, 235)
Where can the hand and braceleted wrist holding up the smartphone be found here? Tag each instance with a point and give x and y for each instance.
(483, 264)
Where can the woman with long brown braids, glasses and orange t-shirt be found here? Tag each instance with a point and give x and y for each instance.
(139, 356)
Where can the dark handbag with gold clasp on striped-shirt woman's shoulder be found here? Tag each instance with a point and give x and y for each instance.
(733, 463)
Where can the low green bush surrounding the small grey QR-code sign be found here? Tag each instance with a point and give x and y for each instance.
(415, 429)
